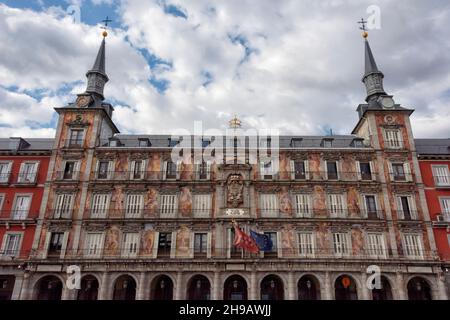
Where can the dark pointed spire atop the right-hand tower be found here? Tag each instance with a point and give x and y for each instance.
(373, 78)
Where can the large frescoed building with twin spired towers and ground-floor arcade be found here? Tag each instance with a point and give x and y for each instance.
(141, 225)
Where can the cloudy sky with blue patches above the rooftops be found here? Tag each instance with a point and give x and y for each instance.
(292, 65)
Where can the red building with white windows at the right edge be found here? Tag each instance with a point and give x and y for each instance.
(434, 162)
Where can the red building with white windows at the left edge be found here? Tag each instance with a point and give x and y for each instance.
(23, 172)
